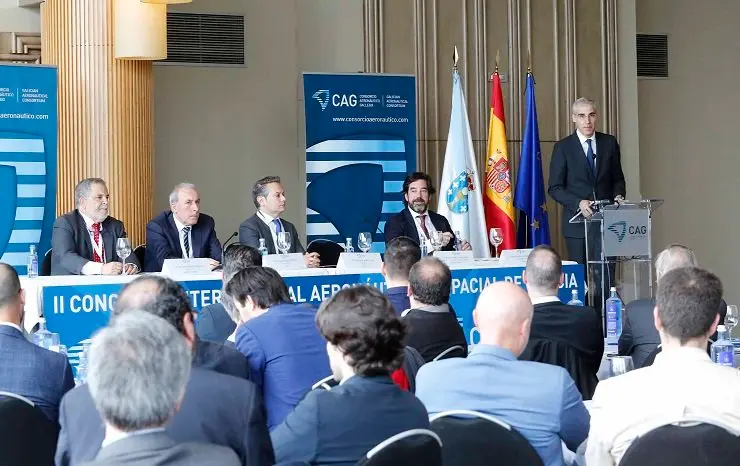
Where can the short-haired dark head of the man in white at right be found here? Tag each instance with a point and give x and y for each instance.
(687, 302)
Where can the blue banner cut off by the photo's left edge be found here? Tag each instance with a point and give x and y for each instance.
(28, 160)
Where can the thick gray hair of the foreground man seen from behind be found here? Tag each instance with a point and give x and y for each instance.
(138, 369)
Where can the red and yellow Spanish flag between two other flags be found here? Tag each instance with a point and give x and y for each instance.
(498, 202)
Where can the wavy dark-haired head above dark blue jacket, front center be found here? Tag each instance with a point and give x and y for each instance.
(361, 322)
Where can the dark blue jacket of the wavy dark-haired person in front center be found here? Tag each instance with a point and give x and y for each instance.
(340, 426)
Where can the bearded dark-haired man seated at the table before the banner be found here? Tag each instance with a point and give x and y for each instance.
(417, 221)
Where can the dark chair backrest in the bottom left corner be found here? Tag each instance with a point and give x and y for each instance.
(27, 436)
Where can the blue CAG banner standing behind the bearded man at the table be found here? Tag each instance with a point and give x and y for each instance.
(360, 145)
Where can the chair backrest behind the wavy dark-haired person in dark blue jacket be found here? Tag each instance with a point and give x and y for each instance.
(415, 447)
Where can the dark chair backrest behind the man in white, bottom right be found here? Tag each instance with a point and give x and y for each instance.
(697, 444)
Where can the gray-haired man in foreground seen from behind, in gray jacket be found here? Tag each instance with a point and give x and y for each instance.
(139, 367)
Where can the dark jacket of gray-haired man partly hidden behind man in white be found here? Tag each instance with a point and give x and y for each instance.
(639, 336)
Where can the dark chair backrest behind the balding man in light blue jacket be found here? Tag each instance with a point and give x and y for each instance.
(472, 438)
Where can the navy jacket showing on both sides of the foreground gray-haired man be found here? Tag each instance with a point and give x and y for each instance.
(217, 409)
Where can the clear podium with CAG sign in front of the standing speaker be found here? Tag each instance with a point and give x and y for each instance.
(617, 234)
